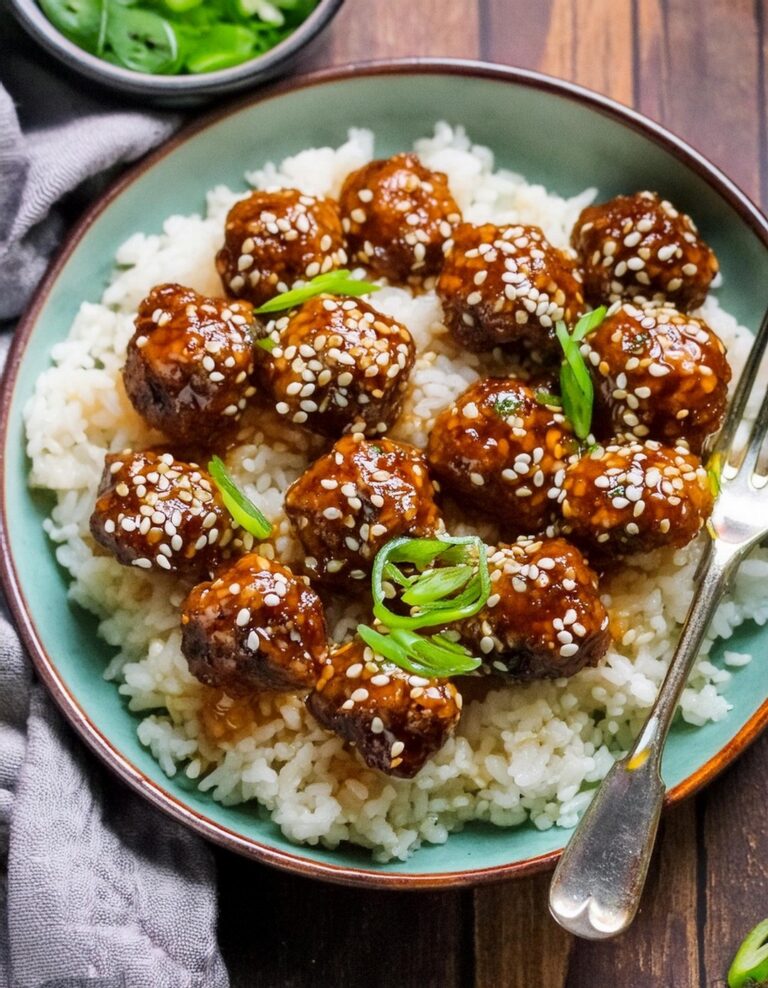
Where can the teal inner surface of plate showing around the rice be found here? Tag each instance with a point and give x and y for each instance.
(546, 136)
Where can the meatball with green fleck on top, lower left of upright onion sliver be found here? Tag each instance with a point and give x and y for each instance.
(498, 449)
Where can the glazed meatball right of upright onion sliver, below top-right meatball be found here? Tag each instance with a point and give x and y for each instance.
(660, 373)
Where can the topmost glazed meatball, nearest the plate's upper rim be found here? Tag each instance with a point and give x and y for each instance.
(397, 214)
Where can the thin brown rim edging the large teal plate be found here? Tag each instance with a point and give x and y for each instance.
(43, 662)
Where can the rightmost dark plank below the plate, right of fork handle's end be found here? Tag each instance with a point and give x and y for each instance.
(735, 858)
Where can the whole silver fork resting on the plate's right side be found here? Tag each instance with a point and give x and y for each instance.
(598, 882)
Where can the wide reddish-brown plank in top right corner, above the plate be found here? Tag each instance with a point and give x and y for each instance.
(698, 74)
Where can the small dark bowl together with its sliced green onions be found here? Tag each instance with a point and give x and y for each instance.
(176, 52)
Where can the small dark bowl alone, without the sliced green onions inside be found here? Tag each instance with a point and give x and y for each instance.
(174, 90)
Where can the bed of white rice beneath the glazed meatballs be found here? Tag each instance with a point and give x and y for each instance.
(531, 751)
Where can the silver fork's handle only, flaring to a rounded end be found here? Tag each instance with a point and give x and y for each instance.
(599, 880)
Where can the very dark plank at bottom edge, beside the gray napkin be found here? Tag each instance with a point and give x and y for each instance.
(279, 930)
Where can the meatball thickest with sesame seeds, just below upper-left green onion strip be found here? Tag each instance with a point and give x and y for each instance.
(338, 366)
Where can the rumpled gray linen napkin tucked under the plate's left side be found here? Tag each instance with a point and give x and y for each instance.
(97, 888)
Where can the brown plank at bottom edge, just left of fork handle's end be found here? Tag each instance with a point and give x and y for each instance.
(517, 944)
